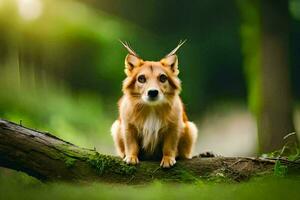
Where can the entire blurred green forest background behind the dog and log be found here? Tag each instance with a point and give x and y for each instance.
(61, 66)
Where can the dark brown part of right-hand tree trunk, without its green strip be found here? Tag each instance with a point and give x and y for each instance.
(276, 117)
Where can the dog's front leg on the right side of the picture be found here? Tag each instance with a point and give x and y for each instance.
(169, 147)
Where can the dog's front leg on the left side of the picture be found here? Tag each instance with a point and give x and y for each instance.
(131, 145)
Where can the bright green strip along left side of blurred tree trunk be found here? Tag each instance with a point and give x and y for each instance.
(251, 49)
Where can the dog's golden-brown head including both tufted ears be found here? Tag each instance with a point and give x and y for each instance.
(151, 82)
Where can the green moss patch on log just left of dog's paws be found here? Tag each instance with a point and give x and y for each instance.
(108, 164)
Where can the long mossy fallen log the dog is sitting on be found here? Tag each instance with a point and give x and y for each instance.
(49, 158)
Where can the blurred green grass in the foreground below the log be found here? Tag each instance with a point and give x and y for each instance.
(17, 185)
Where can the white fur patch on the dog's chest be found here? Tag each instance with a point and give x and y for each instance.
(150, 131)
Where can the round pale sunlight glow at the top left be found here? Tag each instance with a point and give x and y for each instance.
(30, 9)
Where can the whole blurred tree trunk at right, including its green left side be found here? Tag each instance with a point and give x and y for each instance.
(265, 42)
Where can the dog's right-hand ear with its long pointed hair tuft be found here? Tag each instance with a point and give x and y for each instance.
(171, 60)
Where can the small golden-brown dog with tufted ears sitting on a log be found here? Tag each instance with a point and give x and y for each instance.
(152, 121)
